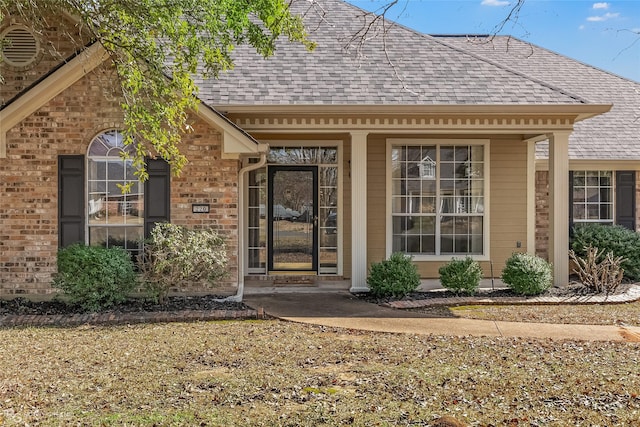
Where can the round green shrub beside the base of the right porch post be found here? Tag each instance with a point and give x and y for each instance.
(527, 274)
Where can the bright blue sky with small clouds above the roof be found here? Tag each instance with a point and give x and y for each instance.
(602, 34)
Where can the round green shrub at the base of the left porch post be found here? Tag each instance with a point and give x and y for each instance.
(393, 277)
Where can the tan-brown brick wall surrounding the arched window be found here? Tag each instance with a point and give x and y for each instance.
(66, 125)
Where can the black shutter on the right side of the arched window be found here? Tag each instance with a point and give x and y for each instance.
(157, 196)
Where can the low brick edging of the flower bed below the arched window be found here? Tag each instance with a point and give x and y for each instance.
(62, 320)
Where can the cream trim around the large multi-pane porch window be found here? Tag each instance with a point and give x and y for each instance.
(487, 199)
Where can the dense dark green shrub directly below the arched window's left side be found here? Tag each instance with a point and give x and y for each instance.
(94, 277)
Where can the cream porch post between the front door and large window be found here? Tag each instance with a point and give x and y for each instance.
(359, 211)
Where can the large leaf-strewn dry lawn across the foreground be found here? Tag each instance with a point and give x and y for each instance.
(274, 373)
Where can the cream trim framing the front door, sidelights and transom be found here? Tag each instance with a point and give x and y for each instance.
(339, 144)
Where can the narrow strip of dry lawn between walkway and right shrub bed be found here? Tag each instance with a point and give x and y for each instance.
(592, 314)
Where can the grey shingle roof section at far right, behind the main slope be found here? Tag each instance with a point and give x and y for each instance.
(613, 135)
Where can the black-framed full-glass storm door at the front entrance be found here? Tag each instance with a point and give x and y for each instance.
(293, 218)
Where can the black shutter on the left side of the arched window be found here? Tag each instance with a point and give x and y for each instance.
(71, 204)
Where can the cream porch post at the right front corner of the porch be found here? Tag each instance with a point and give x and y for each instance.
(559, 206)
